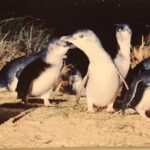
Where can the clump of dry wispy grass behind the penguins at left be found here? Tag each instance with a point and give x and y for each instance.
(22, 35)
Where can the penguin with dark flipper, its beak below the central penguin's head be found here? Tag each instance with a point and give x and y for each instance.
(39, 77)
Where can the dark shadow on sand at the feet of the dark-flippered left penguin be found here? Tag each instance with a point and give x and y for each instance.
(12, 110)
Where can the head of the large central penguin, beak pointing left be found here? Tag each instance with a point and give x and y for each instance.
(83, 39)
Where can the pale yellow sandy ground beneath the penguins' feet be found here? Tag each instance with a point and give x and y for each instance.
(67, 125)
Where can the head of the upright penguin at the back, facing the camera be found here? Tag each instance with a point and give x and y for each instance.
(123, 32)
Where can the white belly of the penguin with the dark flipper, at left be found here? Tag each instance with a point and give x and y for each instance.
(45, 81)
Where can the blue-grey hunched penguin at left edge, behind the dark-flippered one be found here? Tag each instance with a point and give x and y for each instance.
(10, 72)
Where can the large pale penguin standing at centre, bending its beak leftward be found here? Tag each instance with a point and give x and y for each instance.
(103, 75)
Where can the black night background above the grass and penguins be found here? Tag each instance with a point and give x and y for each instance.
(66, 16)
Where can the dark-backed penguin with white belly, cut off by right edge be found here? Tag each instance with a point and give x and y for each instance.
(137, 97)
